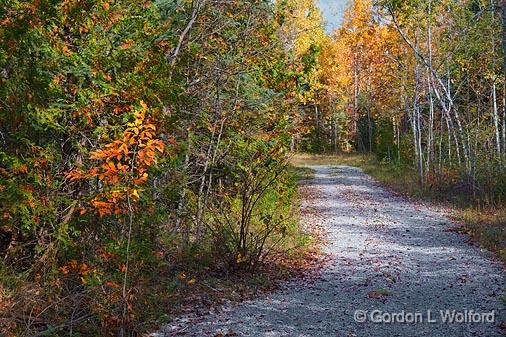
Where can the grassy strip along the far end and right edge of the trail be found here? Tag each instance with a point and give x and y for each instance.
(485, 225)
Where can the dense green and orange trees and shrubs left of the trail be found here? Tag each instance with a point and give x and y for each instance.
(126, 131)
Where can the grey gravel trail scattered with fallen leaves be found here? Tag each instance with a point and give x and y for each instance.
(385, 253)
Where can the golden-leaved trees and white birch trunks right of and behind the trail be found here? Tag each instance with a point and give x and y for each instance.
(418, 83)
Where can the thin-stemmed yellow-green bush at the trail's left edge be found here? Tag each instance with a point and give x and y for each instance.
(259, 204)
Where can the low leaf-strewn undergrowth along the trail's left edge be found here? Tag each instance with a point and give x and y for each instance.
(80, 295)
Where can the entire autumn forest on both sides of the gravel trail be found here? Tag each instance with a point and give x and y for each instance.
(145, 145)
